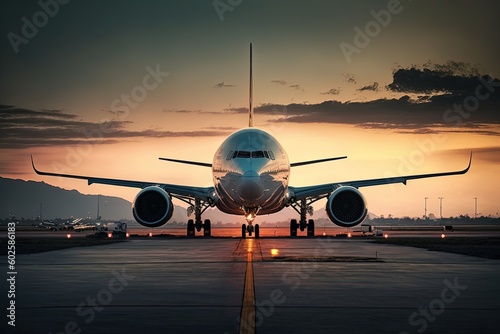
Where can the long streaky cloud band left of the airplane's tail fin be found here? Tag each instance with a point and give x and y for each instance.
(24, 128)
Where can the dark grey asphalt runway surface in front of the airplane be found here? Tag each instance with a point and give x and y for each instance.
(319, 285)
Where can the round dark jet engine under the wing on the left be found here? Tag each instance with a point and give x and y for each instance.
(152, 207)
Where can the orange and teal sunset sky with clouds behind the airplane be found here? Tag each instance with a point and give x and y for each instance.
(104, 88)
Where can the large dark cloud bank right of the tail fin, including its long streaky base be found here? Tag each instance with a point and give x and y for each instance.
(456, 108)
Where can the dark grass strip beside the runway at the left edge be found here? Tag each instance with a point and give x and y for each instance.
(39, 245)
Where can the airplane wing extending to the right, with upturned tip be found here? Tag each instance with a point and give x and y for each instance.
(324, 190)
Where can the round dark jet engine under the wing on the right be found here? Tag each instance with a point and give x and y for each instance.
(346, 207)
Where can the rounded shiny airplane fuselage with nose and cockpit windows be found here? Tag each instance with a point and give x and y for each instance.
(251, 171)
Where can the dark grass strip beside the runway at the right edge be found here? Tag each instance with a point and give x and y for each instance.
(488, 247)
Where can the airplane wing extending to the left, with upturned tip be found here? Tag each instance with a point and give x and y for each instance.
(178, 191)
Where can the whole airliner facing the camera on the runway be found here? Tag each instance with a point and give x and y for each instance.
(250, 173)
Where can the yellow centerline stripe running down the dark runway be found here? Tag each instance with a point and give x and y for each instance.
(247, 318)
